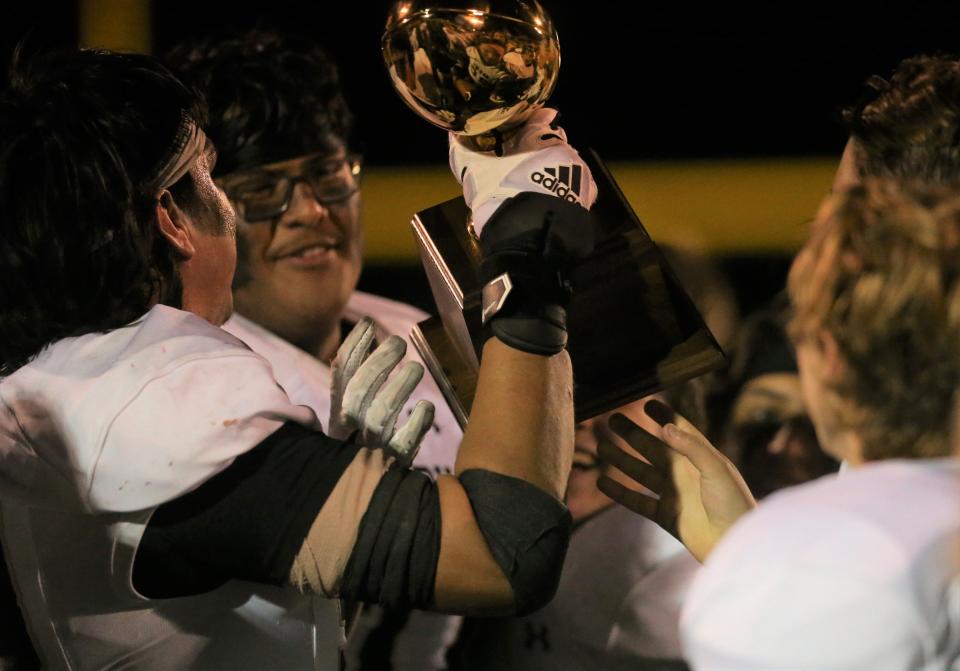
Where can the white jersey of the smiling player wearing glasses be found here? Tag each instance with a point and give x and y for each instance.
(420, 645)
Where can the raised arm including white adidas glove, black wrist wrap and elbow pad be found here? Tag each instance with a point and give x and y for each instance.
(503, 526)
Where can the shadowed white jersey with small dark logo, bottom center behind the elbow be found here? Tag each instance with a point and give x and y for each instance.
(617, 606)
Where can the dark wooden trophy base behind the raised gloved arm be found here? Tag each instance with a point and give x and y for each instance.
(633, 330)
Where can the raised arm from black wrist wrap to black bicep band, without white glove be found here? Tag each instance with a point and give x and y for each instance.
(492, 537)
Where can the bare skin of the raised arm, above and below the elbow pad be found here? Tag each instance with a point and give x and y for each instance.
(521, 426)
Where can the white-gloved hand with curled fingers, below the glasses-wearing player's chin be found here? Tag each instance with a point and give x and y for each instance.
(363, 396)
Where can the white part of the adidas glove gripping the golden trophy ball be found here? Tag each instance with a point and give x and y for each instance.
(536, 157)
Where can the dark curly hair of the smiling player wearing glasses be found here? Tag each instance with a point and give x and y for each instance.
(270, 98)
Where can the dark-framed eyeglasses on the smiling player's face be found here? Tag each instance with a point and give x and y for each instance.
(264, 194)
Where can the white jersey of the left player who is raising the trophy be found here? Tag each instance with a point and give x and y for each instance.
(97, 432)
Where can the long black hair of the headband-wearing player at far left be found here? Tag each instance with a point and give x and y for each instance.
(81, 132)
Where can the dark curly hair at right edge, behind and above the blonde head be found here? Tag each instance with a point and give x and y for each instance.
(908, 127)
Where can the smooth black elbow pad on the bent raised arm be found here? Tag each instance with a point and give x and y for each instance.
(527, 531)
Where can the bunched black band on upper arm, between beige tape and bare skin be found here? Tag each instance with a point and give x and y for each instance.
(394, 561)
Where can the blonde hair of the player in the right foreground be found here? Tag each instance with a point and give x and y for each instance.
(879, 274)
